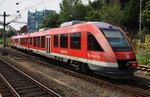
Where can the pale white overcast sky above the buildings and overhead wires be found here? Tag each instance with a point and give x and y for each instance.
(10, 7)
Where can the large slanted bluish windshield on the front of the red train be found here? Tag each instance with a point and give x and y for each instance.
(117, 40)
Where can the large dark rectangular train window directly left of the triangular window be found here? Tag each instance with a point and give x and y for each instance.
(75, 40)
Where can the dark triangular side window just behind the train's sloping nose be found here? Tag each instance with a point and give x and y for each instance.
(93, 44)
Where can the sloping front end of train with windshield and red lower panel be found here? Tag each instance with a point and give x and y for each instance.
(122, 50)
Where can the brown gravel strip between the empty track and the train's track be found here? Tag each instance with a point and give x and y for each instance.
(66, 85)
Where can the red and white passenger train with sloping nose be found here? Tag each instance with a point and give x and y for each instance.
(97, 46)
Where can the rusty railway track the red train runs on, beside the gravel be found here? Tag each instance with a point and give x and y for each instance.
(131, 90)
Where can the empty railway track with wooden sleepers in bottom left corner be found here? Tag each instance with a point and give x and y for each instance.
(19, 84)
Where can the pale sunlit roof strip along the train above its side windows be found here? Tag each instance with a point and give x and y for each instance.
(69, 28)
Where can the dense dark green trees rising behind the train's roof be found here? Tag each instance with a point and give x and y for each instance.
(100, 10)
